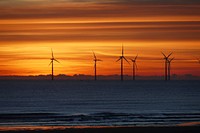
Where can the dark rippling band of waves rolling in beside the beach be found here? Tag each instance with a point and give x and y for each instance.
(101, 118)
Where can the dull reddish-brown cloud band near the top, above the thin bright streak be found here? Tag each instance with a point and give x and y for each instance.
(61, 9)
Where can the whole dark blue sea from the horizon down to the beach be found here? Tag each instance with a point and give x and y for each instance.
(98, 103)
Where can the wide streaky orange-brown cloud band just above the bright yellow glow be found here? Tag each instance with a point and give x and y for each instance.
(106, 31)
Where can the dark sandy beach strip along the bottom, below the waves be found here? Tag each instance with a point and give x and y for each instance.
(102, 129)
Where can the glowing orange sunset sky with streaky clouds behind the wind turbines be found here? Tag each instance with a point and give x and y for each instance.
(30, 28)
